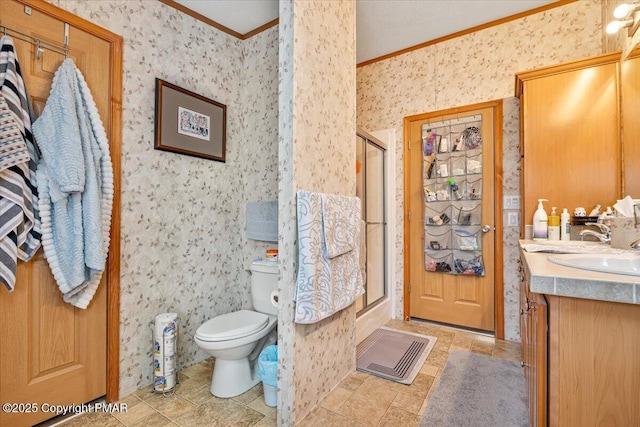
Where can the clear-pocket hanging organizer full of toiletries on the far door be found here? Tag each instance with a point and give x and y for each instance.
(452, 180)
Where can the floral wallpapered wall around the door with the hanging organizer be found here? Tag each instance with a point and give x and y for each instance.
(466, 70)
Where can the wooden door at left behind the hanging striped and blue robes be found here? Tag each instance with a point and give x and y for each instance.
(51, 352)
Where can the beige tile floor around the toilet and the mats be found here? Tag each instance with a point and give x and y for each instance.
(359, 400)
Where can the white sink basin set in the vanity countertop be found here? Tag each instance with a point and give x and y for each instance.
(628, 264)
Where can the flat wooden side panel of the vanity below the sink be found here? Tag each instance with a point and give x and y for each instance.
(594, 368)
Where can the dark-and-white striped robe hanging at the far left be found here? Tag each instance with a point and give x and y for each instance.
(19, 219)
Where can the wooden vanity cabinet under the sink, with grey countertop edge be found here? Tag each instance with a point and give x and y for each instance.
(581, 357)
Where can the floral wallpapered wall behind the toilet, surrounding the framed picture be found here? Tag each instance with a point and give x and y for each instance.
(183, 217)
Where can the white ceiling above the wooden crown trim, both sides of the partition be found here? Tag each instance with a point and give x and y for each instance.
(382, 26)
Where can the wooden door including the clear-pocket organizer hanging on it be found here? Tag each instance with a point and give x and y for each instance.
(450, 231)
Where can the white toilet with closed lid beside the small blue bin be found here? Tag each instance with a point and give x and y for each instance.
(236, 339)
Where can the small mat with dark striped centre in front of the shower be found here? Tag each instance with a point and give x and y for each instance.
(393, 354)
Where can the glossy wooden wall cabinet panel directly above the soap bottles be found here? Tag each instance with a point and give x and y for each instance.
(570, 134)
